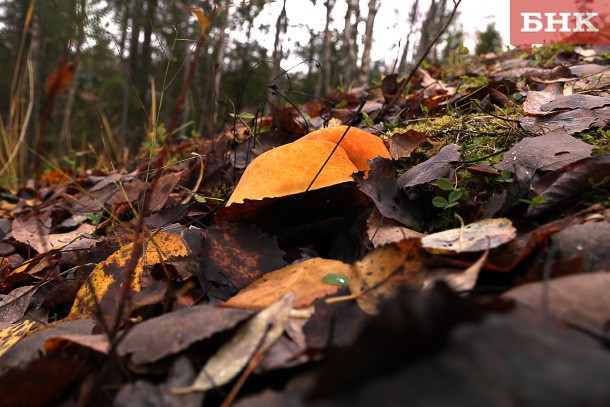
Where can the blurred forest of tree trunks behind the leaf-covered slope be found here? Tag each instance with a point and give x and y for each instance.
(129, 59)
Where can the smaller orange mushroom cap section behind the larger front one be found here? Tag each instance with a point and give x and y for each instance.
(359, 145)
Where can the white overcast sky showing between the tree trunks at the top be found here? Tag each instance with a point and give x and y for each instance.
(390, 23)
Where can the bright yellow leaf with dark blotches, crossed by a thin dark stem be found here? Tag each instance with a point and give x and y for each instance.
(105, 281)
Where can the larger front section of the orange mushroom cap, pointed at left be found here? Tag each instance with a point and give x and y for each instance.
(289, 169)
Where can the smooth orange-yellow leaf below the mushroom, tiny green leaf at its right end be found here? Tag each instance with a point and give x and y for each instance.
(304, 278)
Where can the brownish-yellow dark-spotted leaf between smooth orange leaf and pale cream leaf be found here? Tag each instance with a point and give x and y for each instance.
(379, 274)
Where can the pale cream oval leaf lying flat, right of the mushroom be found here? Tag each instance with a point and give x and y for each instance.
(474, 237)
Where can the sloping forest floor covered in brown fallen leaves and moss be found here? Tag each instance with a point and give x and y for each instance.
(470, 268)
